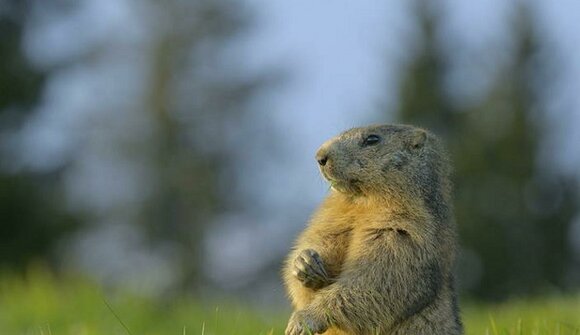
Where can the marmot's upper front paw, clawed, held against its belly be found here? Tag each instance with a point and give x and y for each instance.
(309, 269)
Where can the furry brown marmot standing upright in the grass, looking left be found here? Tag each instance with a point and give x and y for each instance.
(378, 255)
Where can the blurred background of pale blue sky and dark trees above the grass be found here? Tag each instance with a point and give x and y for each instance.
(166, 147)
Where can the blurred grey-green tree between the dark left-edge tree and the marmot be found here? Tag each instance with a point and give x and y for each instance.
(192, 155)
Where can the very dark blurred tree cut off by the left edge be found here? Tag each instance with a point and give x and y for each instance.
(32, 215)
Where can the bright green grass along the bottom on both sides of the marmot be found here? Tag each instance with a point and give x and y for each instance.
(42, 305)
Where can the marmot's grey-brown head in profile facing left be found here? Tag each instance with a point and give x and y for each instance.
(382, 159)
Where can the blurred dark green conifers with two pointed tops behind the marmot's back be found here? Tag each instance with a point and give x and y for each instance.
(513, 213)
